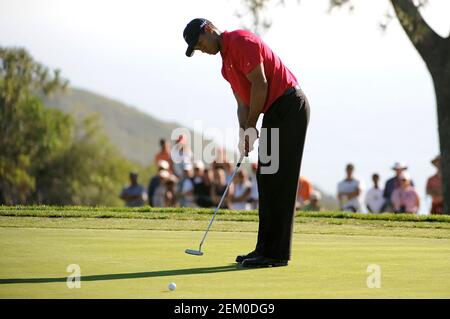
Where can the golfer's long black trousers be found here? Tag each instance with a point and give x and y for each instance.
(278, 190)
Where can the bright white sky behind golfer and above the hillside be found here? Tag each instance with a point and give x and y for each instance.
(372, 99)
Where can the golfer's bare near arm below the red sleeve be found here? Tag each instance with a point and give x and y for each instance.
(258, 94)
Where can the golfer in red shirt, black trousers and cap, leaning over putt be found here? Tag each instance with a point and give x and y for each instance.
(262, 84)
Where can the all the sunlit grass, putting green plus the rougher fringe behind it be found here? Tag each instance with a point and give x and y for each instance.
(136, 253)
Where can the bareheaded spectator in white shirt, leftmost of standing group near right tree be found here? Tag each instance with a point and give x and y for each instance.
(349, 191)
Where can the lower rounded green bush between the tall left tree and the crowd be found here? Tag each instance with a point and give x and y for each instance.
(90, 171)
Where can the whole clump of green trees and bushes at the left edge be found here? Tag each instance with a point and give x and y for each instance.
(46, 157)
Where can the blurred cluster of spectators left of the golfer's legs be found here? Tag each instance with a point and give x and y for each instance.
(182, 182)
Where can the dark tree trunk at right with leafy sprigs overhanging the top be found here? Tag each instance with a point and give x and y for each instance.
(434, 50)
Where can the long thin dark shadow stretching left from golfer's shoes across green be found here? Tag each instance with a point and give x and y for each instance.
(135, 275)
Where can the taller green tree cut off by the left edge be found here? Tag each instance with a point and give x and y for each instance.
(29, 133)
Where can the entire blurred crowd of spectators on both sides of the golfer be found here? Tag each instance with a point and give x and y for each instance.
(182, 182)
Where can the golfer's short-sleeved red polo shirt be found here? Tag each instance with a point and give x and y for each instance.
(242, 51)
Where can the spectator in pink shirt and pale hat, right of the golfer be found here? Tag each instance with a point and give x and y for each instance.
(405, 198)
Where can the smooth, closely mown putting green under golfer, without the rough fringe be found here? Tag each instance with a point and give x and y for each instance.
(130, 263)
